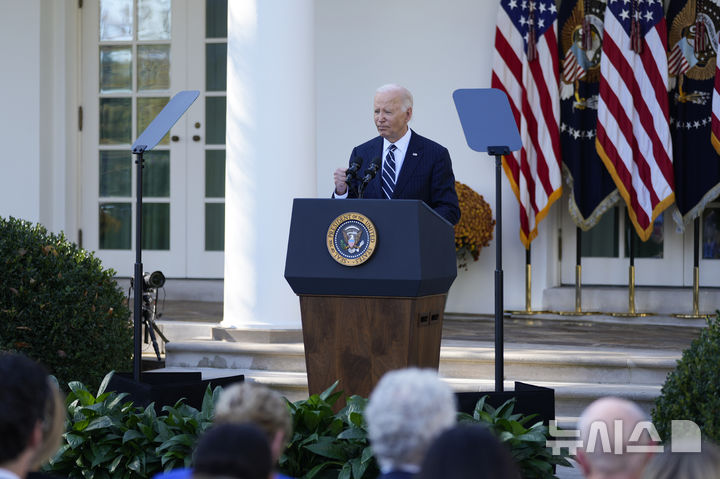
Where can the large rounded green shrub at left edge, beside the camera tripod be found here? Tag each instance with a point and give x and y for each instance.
(59, 306)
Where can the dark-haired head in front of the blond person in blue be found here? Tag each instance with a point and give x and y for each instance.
(238, 451)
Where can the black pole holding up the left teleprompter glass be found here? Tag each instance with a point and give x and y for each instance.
(138, 281)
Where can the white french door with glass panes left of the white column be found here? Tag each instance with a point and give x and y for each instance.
(136, 55)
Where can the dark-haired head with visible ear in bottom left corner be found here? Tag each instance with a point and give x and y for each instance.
(25, 396)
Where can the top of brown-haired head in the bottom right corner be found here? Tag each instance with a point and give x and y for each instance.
(685, 465)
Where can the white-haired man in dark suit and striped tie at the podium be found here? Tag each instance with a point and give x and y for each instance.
(413, 167)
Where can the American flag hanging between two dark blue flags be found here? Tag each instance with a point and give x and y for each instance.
(633, 131)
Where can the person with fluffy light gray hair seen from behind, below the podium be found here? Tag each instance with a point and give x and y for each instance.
(407, 410)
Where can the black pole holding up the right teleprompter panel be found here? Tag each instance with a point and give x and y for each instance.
(499, 351)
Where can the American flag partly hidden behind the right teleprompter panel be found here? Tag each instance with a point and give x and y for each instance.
(526, 68)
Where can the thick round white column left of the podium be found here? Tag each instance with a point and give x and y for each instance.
(270, 155)
